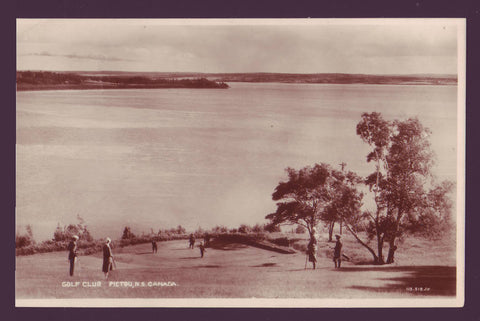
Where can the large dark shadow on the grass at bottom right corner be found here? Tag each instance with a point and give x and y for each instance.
(418, 280)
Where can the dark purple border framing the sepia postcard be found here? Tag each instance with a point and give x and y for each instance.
(236, 9)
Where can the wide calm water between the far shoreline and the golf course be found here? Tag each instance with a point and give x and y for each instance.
(159, 158)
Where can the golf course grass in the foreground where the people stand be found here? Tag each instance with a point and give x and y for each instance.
(241, 271)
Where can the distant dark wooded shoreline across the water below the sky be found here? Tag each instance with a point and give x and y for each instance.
(45, 80)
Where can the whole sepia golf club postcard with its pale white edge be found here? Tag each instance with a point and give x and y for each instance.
(240, 162)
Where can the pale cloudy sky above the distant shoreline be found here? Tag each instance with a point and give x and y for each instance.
(365, 46)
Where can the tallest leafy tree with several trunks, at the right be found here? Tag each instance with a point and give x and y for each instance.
(404, 189)
